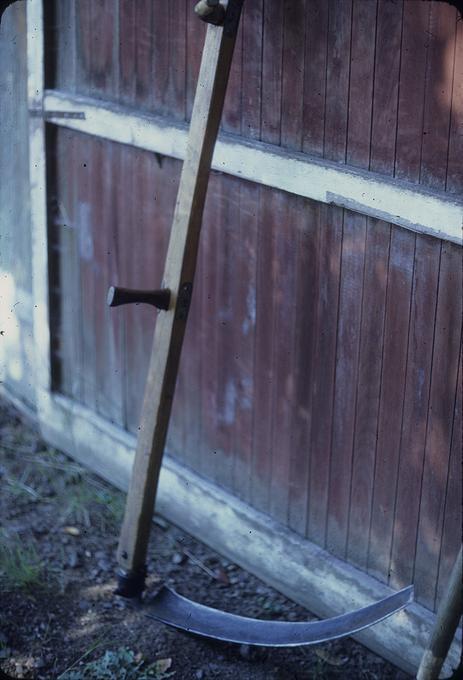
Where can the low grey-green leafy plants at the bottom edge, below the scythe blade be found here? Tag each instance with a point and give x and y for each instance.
(122, 664)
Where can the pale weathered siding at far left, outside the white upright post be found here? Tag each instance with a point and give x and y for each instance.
(16, 339)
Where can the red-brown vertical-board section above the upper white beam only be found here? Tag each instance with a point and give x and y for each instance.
(376, 84)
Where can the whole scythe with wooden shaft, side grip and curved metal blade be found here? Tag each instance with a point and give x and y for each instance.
(174, 301)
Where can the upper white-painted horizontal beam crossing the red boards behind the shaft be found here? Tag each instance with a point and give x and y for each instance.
(402, 203)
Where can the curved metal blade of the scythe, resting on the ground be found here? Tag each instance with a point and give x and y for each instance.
(175, 610)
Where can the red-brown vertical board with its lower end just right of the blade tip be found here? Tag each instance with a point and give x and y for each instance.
(439, 431)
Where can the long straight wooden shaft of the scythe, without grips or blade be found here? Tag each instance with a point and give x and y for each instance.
(178, 280)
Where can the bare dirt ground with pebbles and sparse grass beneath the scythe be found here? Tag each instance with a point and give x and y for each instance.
(60, 619)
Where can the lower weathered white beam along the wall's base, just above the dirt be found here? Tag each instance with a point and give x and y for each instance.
(299, 569)
